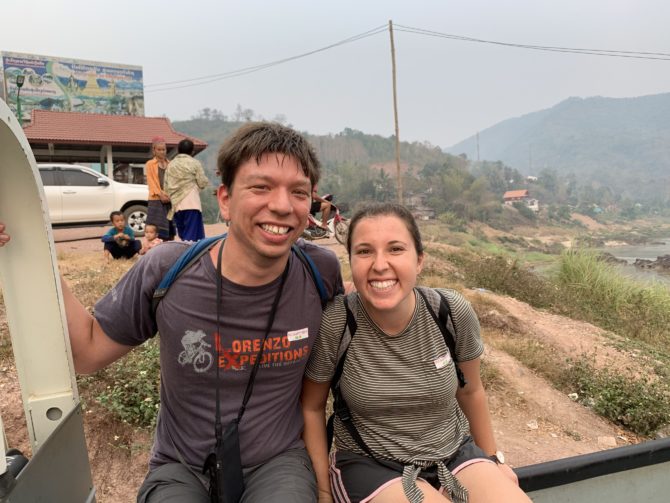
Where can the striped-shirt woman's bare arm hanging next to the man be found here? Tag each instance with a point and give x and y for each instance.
(314, 396)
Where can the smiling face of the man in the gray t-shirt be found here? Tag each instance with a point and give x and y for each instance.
(267, 206)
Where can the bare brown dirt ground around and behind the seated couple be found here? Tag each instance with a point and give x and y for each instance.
(532, 421)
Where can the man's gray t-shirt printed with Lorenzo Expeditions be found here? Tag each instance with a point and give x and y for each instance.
(186, 321)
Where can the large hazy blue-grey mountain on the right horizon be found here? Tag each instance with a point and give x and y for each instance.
(620, 142)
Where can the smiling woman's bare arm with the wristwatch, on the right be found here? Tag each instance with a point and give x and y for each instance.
(474, 403)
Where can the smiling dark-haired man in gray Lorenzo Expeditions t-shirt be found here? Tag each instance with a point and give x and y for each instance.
(237, 327)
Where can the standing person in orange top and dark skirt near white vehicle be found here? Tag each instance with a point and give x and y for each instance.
(159, 201)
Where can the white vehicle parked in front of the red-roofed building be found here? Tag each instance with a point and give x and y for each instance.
(78, 195)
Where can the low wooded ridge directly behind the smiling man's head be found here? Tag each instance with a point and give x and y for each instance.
(348, 147)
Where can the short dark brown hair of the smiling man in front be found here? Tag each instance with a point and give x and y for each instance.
(255, 139)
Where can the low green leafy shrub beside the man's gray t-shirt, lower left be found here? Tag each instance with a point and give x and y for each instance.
(132, 386)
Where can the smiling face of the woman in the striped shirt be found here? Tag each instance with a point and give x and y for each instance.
(384, 264)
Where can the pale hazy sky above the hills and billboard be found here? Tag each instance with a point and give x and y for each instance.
(447, 89)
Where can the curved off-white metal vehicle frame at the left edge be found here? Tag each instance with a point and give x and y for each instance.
(31, 288)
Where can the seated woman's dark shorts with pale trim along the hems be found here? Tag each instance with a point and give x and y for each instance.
(357, 478)
